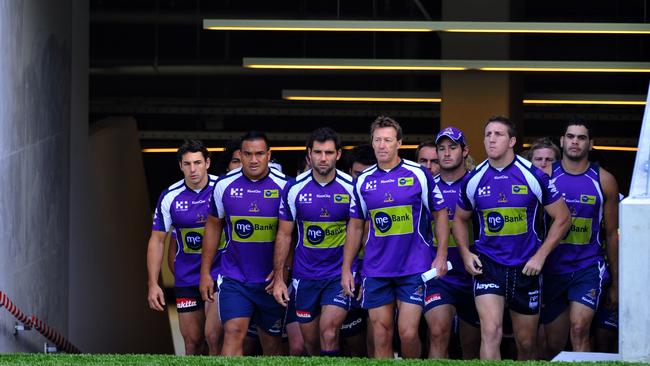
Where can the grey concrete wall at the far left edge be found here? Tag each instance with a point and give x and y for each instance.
(35, 92)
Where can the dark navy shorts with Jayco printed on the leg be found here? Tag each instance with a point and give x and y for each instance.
(522, 293)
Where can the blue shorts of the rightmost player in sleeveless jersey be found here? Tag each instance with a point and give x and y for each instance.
(584, 286)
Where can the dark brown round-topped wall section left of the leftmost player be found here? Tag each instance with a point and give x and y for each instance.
(108, 279)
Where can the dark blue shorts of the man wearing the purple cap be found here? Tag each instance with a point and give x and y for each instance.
(439, 292)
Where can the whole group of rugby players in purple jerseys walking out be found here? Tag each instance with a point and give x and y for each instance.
(258, 253)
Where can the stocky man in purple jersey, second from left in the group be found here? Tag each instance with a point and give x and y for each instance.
(245, 203)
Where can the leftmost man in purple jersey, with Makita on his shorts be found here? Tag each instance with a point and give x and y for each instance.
(185, 205)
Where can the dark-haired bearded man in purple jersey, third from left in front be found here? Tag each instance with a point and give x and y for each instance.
(318, 203)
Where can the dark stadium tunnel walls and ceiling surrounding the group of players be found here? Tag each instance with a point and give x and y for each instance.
(87, 86)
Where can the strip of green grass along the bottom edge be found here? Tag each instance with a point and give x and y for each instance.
(43, 359)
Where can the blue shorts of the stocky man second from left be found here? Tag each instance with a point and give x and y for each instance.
(250, 300)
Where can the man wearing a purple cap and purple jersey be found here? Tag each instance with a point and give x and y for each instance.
(453, 292)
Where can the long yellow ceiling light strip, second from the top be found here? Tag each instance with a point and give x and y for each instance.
(446, 65)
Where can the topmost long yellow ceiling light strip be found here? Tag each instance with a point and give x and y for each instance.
(423, 26)
